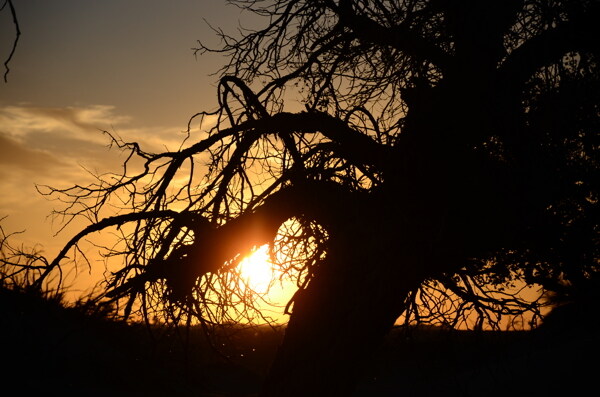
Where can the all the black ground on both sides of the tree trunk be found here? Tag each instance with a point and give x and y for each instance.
(46, 348)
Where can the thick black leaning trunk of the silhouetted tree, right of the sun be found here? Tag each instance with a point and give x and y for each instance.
(353, 300)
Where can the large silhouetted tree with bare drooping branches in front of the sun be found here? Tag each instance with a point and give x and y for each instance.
(446, 152)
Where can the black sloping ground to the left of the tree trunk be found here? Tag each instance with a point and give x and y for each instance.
(47, 346)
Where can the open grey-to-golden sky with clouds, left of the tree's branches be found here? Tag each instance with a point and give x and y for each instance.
(125, 66)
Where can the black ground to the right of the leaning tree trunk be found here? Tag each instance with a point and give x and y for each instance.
(559, 358)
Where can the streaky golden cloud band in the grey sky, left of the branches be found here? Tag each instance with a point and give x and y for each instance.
(74, 136)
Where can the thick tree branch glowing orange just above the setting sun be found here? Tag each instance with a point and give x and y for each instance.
(213, 248)
